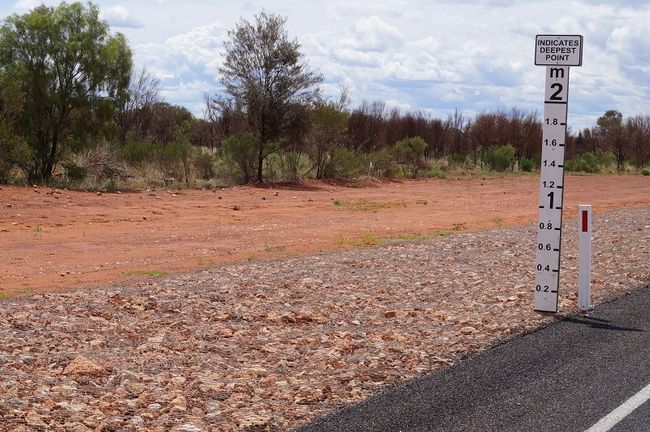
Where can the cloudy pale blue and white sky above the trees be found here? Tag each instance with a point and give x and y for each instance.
(436, 55)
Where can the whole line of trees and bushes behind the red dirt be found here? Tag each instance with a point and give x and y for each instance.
(71, 106)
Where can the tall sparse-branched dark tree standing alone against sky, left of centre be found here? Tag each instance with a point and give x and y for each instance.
(264, 72)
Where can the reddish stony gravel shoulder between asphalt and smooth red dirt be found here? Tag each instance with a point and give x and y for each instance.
(270, 345)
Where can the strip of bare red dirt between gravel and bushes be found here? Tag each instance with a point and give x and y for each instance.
(57, 239)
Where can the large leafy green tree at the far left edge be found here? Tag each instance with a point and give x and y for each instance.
(72, 73)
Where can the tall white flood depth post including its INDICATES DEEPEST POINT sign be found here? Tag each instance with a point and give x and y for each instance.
(557, 53)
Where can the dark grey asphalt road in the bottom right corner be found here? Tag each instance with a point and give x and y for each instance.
(565, 377)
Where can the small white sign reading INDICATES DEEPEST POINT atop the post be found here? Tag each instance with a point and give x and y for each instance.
(558, 50)
